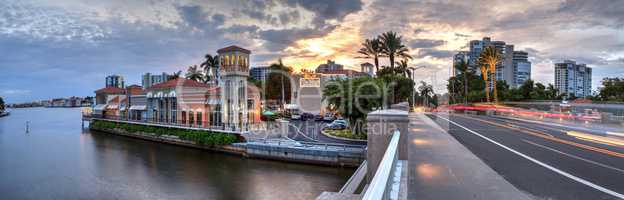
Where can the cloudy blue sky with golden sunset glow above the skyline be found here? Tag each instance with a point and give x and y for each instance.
(61, 48)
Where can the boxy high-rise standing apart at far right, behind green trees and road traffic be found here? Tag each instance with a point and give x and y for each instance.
(573, 79)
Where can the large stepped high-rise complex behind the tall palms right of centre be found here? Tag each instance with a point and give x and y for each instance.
(510, 70)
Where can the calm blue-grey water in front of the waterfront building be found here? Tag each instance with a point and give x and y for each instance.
(59, 160)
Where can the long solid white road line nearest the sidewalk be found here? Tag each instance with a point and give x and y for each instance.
(561, 172)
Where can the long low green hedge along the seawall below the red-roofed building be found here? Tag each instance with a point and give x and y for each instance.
(201, 137)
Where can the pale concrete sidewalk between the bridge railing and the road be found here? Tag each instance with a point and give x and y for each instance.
(439, 167)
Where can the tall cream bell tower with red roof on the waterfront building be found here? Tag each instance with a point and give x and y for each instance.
(234, 70)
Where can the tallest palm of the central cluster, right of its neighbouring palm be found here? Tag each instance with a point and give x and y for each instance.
(392, 47)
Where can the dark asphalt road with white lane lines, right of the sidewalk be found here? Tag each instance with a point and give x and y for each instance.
(541, 160)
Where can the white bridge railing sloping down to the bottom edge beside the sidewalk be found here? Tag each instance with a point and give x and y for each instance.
(385, 184)
